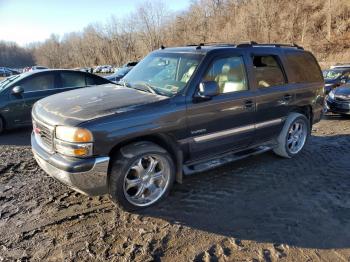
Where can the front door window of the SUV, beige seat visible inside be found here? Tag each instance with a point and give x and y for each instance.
(229, 73)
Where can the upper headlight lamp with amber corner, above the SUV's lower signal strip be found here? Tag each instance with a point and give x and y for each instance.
(73, 134)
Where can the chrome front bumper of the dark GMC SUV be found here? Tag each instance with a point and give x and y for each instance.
(87, 176)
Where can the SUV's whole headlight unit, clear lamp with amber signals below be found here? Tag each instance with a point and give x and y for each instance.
(73, 141)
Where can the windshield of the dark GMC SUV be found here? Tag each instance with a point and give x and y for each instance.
(165, 73)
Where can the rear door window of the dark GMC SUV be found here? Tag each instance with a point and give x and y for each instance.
(268, 71)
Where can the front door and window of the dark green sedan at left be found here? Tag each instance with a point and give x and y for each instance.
(35, 87)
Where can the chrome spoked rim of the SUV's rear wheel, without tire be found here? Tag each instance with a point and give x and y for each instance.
(297, 135)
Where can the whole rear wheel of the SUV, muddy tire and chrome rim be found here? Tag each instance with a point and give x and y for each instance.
(292, 140)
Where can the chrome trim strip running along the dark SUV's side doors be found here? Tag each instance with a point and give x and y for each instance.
(236, 130)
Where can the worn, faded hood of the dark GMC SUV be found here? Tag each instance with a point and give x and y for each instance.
(77, 106)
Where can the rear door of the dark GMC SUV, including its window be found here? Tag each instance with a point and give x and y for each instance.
(273, 95)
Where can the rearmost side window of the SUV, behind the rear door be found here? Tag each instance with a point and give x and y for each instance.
(304, 67)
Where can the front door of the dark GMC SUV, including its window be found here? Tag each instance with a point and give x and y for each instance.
(226, 122)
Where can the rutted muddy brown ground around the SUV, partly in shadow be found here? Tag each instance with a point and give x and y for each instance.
(260, 209)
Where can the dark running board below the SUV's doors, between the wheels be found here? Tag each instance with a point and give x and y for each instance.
(222, 160)
